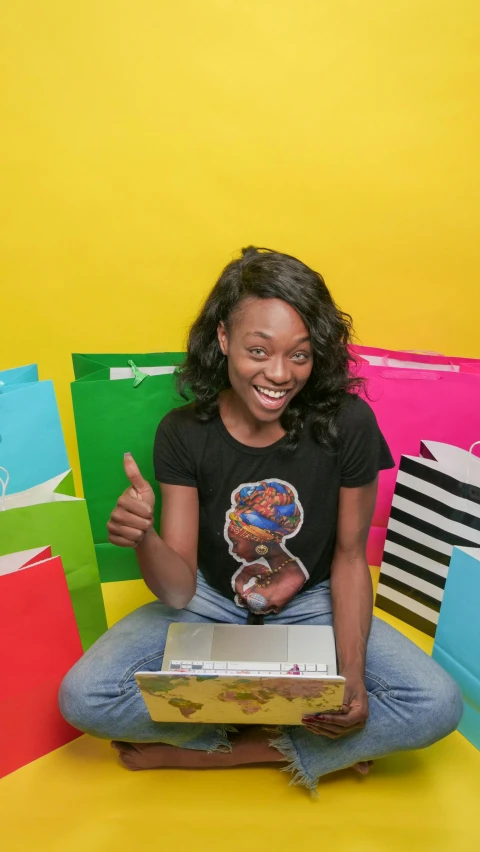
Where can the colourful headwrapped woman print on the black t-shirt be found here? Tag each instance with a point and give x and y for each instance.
(261, 516)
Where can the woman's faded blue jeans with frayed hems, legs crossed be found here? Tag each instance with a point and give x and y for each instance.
(413, 702)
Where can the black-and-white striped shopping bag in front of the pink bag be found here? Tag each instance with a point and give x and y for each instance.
(436, 506)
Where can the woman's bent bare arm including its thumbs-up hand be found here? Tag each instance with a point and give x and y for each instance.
(168, 562)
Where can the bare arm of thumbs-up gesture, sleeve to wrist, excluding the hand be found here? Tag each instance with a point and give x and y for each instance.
(168, 562)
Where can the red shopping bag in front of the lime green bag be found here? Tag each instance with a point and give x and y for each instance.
(39, 643)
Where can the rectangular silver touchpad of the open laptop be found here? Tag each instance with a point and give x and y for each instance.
(250, 643)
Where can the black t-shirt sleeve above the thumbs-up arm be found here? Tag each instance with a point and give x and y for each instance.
(172, 460)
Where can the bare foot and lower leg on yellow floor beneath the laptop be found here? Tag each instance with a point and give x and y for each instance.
(249, 746)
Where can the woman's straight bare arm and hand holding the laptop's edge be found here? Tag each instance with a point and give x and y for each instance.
(352, 602)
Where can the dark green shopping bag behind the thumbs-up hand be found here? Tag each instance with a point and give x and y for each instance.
(118, 402)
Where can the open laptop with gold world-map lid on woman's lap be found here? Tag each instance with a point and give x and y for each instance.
(244, 674)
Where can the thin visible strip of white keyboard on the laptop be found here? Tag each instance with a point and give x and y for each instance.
(214, 667)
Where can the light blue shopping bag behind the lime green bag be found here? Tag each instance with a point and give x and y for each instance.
(32, 447)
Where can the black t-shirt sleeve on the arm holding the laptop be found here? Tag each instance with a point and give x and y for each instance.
(364, 450)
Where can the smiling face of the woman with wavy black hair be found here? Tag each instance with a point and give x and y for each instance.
(269, 355)
